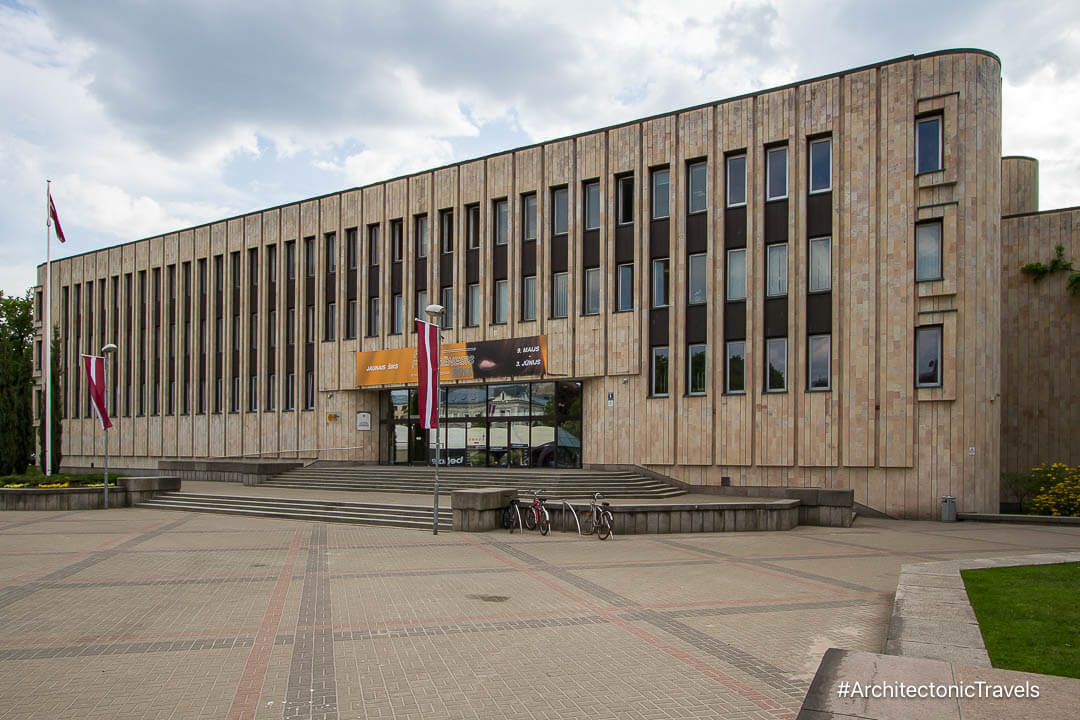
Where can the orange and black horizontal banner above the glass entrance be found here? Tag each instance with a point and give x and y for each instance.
(460, 361)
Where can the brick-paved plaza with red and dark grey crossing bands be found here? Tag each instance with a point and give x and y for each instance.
(143, 614)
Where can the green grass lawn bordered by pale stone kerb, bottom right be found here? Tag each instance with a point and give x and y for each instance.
(1030, 617)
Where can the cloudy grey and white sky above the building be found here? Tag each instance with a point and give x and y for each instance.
(154, 116)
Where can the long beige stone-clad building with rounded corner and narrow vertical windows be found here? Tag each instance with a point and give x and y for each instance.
(801, 287)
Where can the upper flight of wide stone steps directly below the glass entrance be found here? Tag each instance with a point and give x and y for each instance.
(557, 484)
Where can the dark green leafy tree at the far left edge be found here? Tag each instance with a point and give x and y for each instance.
(17, 384)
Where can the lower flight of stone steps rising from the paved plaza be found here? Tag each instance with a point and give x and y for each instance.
(320, 511)
